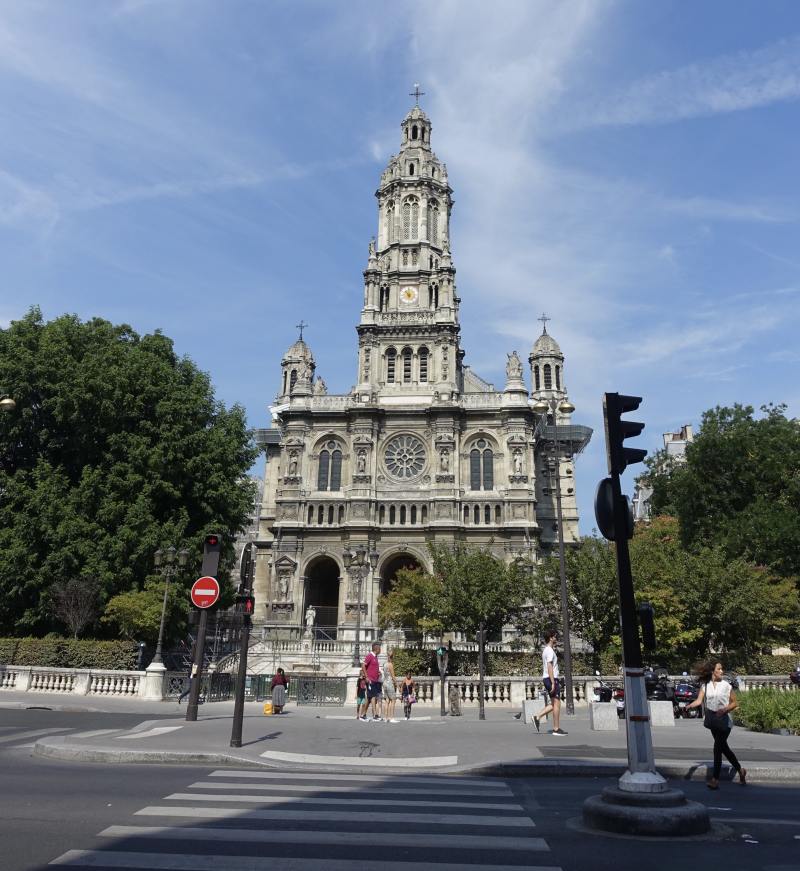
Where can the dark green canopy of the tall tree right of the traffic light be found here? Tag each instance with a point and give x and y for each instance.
(739, 486)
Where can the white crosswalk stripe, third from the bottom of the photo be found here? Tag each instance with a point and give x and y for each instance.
(211, 813)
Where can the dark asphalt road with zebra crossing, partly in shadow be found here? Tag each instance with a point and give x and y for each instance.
(225, 819)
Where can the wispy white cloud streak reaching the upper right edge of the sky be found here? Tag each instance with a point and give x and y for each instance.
(731, 83)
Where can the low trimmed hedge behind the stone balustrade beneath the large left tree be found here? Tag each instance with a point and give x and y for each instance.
(55, 652)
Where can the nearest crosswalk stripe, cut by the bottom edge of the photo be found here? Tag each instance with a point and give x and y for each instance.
(187, 862)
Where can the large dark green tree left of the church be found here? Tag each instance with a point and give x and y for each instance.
(116, 447)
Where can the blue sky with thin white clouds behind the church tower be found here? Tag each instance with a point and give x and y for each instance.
(208, 169)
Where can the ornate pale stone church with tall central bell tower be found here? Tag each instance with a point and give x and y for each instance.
(421, 449)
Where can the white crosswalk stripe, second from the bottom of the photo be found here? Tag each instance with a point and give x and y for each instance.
(421, 840)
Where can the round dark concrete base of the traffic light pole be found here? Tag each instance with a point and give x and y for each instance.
(646, 814)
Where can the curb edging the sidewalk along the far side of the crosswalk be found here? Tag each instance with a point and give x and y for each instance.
(56, 748)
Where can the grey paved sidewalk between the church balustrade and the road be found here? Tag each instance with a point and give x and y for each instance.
(331, 738)
